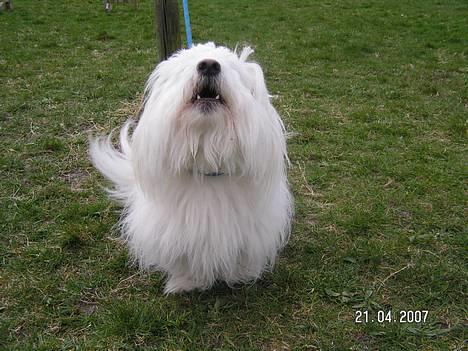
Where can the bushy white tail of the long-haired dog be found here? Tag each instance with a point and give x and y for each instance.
(115, 165)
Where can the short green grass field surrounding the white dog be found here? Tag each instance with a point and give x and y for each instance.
(376, 95)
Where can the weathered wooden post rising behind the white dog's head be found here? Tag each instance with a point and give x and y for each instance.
(167, 28)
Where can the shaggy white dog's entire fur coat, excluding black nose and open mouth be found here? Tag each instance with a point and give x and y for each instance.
(203, 183)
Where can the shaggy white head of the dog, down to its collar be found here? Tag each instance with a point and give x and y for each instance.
(207, 110)
